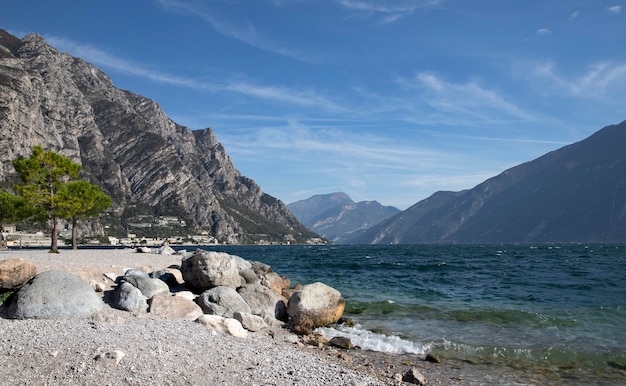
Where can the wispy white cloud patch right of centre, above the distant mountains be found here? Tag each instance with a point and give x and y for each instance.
(462, 103)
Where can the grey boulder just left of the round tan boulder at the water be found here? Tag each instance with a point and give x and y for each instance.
(264, 302)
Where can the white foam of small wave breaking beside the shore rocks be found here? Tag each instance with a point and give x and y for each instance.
(369, 340)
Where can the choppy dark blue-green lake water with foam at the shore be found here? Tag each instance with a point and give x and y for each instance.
(529, 306)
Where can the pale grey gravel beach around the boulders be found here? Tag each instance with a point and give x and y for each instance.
(163, 352)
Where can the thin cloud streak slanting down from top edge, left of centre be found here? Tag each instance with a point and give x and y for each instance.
(244, 32)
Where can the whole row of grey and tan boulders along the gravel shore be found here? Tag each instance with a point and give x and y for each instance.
(224, 292)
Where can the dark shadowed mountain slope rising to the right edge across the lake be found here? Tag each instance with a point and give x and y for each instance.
(573, 194)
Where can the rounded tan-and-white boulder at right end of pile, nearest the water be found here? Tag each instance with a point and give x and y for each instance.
(315, 305)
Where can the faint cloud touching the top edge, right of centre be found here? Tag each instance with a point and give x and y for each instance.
(388, 11)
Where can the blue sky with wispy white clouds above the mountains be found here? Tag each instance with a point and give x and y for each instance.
(384, 100)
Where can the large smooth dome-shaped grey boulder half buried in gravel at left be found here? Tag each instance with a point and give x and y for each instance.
(55, 295)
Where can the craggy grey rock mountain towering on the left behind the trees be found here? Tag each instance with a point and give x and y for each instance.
(126, 144)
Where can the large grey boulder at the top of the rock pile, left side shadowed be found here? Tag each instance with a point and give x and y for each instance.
(207, 269)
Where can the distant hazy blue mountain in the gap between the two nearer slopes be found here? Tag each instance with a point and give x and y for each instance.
(336, 217)
